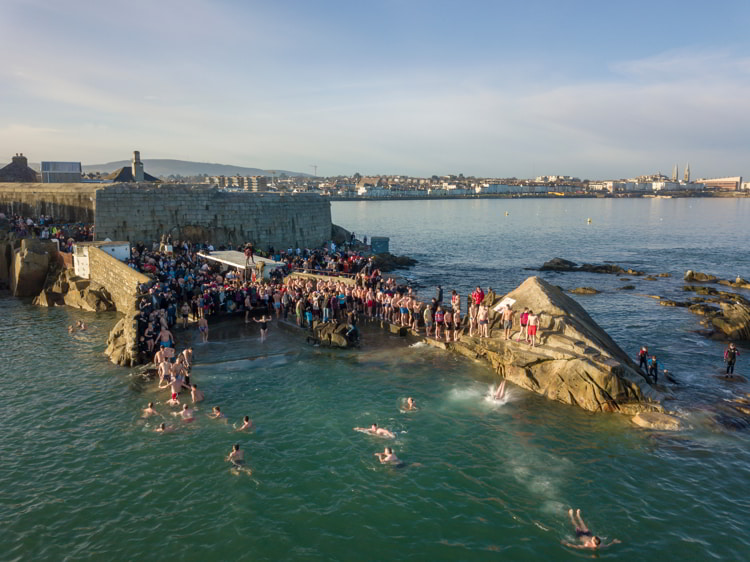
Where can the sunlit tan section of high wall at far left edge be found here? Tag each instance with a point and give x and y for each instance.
(66, 202)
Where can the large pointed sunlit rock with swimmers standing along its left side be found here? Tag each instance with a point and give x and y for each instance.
(576, 362)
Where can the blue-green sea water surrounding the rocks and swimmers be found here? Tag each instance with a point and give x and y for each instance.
(84, 477)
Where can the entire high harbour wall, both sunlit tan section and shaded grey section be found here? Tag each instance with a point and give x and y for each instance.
(144, 212)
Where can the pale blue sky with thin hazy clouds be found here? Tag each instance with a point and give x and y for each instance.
(592, 89)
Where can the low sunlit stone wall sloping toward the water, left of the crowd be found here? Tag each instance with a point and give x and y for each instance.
(120, 281)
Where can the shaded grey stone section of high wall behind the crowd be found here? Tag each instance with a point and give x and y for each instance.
(199, 213)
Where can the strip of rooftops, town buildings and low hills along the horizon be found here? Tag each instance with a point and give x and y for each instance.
(398, 186)
